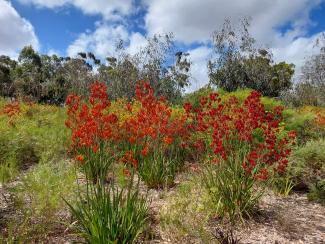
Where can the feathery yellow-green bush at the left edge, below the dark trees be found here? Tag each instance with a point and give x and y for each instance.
(37, 134)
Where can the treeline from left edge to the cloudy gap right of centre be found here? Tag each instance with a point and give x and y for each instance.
(49, 79)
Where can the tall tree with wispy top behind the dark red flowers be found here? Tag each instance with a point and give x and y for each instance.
(239, 63)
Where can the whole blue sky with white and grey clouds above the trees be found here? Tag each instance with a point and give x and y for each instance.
(288, 27)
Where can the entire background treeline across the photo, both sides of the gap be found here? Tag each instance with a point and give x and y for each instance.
(237, 62)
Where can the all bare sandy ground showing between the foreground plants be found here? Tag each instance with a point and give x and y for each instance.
(281, 220)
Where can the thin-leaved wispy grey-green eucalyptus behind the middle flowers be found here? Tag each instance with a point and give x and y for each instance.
(157, 62)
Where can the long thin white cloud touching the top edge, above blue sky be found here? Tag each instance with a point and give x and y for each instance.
(109, 9)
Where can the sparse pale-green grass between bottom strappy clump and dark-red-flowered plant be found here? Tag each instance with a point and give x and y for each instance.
(187, 213)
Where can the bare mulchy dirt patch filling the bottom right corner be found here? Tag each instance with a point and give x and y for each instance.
(285, 220)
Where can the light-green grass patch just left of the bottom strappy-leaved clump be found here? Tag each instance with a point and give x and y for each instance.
(44, 186)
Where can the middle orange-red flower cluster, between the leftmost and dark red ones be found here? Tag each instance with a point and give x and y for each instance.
(152, 126)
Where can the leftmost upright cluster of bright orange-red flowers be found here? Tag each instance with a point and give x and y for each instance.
(91, 123)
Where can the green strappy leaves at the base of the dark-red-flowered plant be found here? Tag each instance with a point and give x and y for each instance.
(234, 194)
